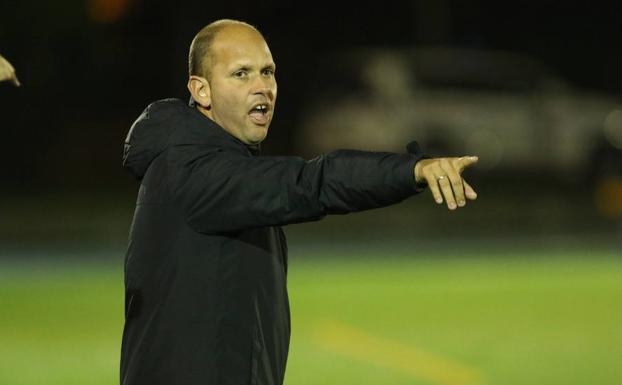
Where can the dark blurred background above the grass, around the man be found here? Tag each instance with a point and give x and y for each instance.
(88, 68)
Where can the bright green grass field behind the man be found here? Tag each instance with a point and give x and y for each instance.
(541, 319)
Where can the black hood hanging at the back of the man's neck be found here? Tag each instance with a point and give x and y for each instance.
(170, 122)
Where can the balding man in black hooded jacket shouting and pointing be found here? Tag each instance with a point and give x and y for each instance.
(205, 272)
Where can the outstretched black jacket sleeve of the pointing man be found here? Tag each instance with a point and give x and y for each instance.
(221, 191)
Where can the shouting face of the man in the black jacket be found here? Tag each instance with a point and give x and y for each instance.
(242, 84)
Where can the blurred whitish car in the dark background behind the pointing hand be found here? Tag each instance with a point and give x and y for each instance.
(507, 108)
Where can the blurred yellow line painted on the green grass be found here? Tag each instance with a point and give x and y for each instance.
(357, 344)
